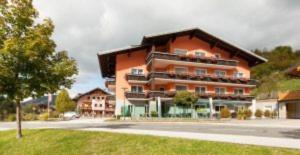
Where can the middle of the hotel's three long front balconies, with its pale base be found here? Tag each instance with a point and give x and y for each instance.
(209, 79)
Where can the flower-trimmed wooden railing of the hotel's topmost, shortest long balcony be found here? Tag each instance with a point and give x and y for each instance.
(189, 58)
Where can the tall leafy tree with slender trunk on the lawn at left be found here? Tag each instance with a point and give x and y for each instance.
(29, 64)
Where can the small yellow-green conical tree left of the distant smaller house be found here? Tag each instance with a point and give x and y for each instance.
(63, 103)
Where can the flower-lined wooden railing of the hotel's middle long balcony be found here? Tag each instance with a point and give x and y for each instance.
(207, 78)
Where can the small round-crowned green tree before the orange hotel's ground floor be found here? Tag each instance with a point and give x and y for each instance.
(185, 98)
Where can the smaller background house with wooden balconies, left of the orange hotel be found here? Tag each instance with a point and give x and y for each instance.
(95, 102)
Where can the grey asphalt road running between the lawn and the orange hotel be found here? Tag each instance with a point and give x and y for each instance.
(213, 128)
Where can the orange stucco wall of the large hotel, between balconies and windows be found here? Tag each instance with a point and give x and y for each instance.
(136, 59)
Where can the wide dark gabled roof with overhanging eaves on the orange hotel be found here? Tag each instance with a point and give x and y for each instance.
(107, 58)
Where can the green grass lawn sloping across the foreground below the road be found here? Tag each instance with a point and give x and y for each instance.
(55, 142)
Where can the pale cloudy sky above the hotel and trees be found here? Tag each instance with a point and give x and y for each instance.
(87, 27)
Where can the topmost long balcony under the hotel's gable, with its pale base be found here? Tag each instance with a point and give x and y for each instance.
(190, 60)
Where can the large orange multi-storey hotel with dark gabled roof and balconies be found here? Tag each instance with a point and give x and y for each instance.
(146, 77)
